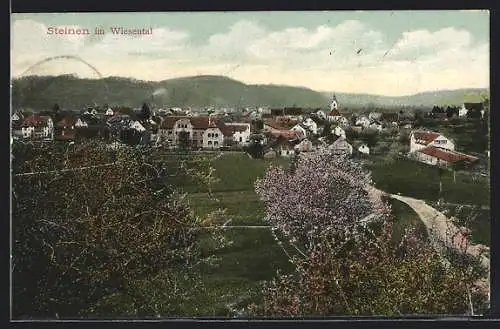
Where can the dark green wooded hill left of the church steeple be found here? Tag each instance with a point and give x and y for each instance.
(199, 91)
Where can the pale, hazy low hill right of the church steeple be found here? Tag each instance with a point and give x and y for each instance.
(425, 99)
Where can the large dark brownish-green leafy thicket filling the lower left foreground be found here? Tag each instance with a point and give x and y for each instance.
(84, 239)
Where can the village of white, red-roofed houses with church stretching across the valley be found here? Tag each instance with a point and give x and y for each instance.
(261, 131)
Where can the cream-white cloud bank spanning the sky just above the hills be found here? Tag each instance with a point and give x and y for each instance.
(351, 56)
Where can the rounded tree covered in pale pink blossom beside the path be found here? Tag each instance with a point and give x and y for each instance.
(326, 191)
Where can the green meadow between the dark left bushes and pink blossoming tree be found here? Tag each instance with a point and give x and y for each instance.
(254, 256)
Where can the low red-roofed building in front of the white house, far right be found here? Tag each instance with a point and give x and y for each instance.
(443, 157)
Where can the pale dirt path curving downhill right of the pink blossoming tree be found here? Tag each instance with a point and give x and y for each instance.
(441, 227)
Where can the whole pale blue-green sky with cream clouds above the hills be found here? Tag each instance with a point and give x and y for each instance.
(391, 53)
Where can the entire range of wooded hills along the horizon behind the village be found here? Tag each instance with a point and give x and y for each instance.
(71, 92)
